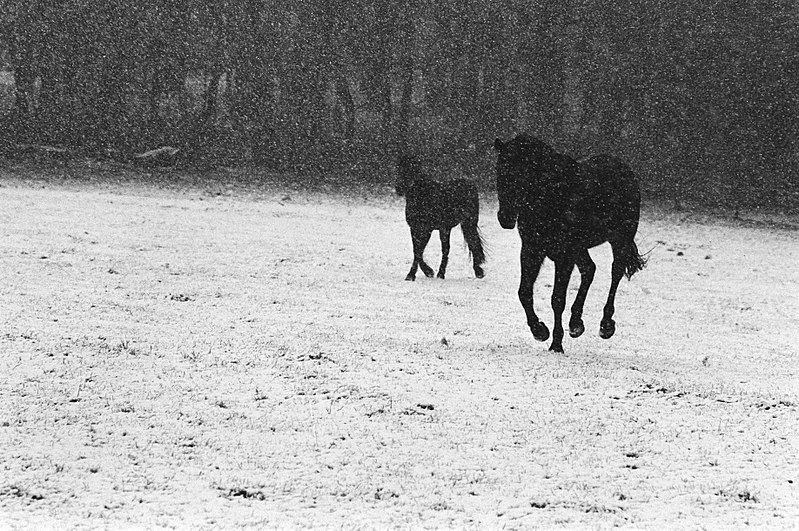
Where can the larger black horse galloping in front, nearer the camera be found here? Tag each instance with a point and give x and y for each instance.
(563, 208)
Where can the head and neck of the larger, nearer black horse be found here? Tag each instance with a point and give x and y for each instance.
(517, 160)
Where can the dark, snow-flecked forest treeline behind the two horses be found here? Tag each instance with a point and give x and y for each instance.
(699, 97)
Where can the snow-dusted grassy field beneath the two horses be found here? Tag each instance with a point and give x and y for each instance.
(193, 360)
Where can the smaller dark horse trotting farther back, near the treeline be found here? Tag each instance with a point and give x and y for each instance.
(430, 206)
